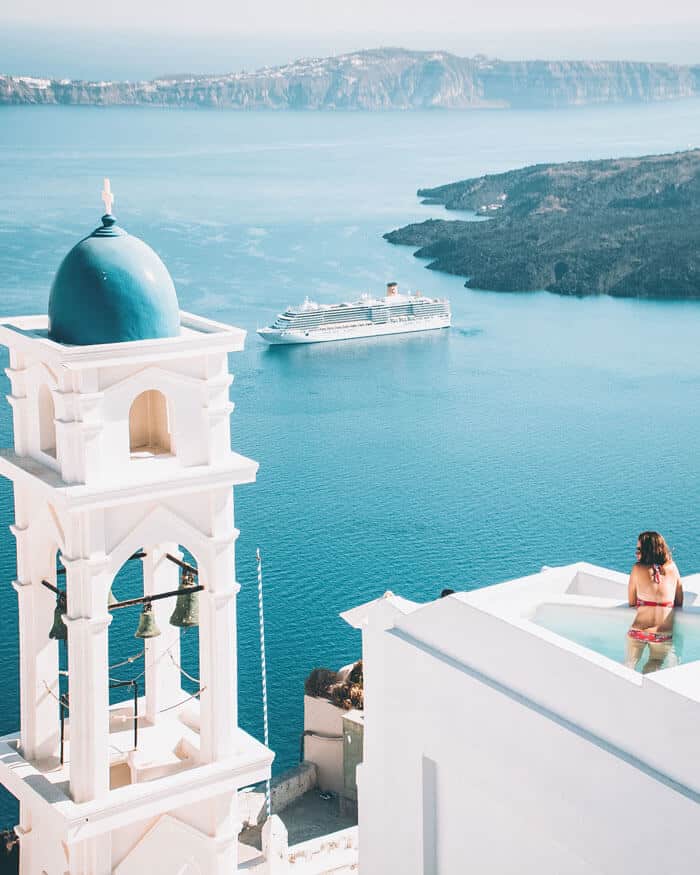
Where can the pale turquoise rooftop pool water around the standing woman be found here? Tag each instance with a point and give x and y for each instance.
(604, 630)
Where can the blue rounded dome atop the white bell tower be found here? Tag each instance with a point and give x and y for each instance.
(110, 288)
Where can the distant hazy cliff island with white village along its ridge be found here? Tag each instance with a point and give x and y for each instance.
(380, 79)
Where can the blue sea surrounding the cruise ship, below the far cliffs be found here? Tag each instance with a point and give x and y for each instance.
(538, 430)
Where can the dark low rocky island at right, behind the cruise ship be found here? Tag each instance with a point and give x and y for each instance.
(625, 227)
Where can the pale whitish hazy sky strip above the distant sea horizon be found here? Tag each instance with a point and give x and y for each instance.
(357, 16)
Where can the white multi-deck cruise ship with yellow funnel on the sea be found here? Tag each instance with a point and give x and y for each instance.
(368, 317)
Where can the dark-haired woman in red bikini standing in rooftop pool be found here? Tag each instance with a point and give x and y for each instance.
(655, 589)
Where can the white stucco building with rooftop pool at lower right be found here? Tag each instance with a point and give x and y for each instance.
(496, 745)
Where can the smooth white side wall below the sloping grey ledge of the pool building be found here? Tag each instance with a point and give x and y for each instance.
(516, 792)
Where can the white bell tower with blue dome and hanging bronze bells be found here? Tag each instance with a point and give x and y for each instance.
(121, 448)
